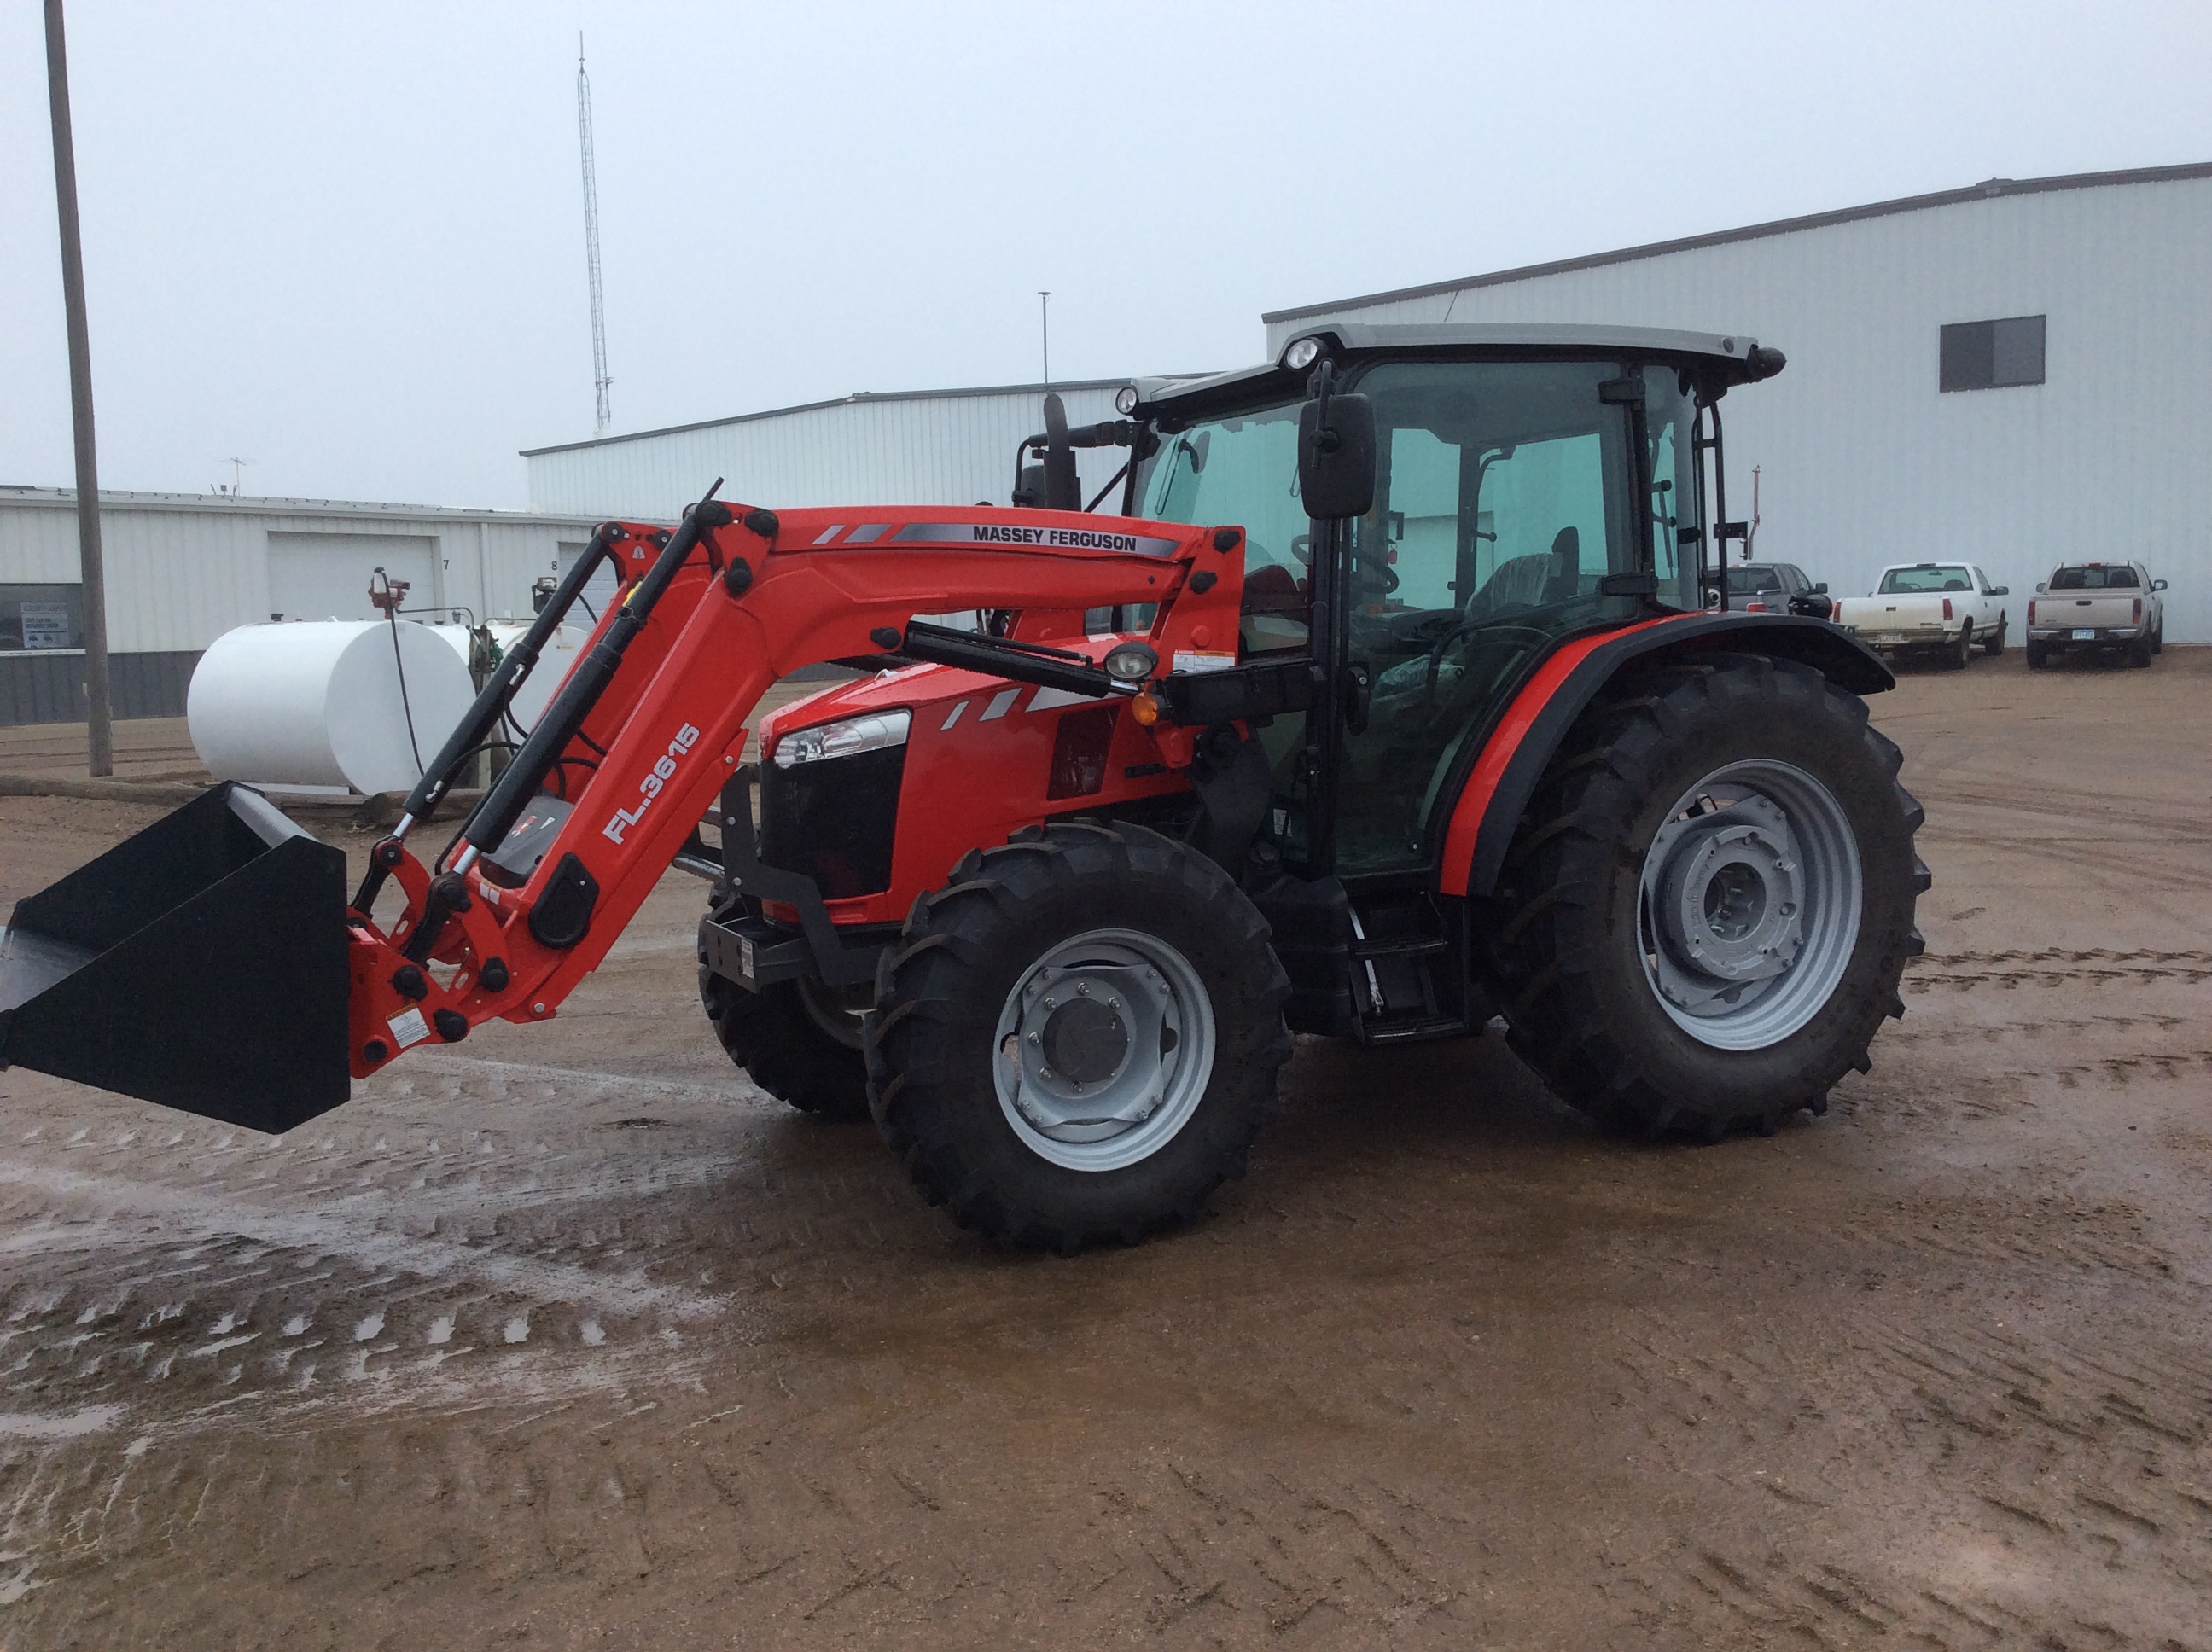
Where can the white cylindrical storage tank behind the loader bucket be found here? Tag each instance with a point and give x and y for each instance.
(320, 702)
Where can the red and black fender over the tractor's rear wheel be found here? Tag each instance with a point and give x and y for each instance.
(1523, 744)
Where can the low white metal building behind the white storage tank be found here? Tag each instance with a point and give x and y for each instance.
(185, 567)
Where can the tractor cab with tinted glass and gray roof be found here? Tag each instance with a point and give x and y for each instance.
(1532, 485)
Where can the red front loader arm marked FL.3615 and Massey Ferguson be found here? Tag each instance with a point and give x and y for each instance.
(662, 729)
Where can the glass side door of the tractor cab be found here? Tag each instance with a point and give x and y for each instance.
(1510, 514)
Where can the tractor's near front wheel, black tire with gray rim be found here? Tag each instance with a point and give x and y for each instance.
(1176, 1025)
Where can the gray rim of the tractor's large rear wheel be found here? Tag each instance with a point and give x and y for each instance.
(1751, 903)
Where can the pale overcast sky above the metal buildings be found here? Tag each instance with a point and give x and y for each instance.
(346, 242)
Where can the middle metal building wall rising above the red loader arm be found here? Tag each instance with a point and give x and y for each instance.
(884, 450)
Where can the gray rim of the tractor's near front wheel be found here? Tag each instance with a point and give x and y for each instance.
(1105, 1049)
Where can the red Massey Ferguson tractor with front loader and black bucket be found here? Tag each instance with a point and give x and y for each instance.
(1388, 704)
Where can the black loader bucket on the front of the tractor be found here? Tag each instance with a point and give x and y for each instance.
(200, 965)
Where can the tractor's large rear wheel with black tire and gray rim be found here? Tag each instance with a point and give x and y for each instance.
(1616, 994)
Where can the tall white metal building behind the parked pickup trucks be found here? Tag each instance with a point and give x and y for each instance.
(2014, 375)
